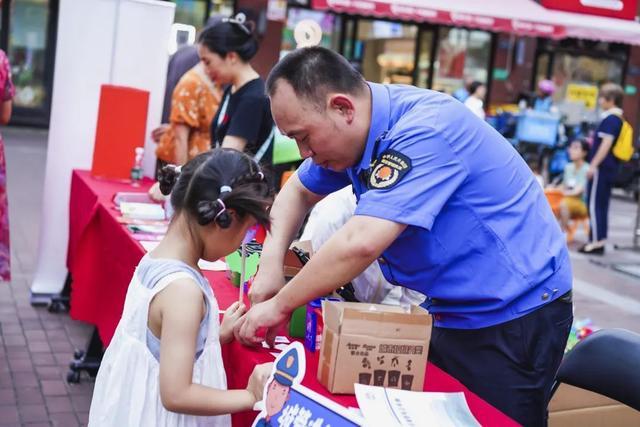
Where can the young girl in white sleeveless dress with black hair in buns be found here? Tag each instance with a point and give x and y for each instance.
(164, 366)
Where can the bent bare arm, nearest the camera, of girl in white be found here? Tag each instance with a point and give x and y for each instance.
(181, 310)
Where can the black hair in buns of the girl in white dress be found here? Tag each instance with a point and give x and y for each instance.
(199, 188)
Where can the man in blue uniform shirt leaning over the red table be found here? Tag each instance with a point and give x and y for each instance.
(447, 206)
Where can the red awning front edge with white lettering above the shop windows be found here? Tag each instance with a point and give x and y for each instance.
(429, 14)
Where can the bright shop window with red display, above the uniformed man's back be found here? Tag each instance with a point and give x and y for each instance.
(462, 55)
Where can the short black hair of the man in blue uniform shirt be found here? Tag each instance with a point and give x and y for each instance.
(312, 72)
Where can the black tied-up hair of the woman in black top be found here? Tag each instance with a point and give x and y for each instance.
(227, 36)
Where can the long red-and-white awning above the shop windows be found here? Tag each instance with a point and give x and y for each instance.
(522, 17)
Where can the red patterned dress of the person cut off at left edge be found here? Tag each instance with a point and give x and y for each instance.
(8, 91)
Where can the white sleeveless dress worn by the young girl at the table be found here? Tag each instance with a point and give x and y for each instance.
(127, 388)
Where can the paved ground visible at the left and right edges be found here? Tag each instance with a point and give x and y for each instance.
(36, 346)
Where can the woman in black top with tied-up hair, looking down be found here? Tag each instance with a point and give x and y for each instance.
(243, 120)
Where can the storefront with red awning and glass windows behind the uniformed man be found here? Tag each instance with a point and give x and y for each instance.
(509, 46)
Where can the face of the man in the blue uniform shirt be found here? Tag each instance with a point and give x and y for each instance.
(325, 133)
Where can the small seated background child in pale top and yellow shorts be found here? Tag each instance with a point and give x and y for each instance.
(574, 183)
